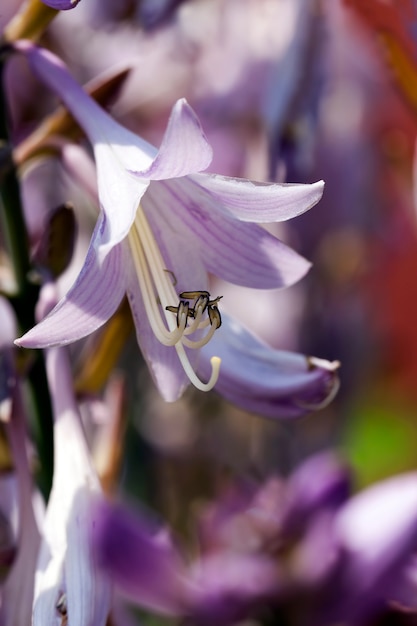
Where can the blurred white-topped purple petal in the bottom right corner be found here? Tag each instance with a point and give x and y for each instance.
(376, 535)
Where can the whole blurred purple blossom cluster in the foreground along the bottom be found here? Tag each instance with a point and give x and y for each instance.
(300, 550)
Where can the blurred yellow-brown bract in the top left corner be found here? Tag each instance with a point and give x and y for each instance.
(30, 22)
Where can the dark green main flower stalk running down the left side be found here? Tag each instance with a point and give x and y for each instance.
(25, 296)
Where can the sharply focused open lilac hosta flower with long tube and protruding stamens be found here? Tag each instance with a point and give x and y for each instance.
(163, 226)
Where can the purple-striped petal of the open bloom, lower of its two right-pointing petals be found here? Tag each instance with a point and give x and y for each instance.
(244, 254)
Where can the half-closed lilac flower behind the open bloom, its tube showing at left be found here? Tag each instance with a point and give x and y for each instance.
(253, 375)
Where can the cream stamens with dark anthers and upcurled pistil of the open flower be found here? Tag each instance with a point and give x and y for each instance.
(187, 320)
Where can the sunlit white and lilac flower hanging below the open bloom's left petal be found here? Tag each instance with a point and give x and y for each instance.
(68, 586)
